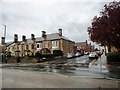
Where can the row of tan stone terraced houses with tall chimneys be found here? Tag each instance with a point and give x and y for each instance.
(28, 47)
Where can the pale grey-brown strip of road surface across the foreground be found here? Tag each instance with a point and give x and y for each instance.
(14, 78)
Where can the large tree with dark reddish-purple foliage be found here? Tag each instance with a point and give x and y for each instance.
(105, 29)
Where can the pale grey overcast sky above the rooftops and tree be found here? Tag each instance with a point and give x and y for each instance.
(24, 17)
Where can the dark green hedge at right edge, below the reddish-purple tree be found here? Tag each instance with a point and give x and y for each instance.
(113, 57)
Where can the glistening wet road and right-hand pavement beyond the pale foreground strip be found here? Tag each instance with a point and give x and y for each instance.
(80, 66)
